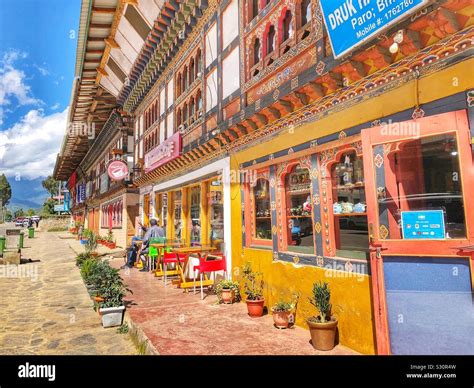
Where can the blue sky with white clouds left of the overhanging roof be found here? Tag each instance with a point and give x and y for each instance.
(38, 40)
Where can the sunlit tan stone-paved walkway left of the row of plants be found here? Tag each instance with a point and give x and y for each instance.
(53, 313)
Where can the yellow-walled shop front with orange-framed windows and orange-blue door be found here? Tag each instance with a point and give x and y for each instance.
(377, 204)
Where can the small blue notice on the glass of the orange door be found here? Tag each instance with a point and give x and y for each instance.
(423, 225)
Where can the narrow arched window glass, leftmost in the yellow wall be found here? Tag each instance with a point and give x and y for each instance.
(263, 219)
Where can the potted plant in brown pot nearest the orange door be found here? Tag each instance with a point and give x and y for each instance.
(322, 327)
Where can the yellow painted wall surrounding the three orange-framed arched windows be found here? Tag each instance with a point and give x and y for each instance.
(351, 296)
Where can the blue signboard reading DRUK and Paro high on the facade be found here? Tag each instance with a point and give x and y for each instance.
(352, 22)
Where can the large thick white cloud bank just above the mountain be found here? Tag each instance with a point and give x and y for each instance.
(28, 149)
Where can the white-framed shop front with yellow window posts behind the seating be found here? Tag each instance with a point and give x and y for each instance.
(193, 209)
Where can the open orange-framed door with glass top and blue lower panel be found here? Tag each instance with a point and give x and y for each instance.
(420, 196)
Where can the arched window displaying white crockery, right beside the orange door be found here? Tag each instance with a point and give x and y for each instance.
(350, 207)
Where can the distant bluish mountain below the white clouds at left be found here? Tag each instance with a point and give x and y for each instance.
(27, 193)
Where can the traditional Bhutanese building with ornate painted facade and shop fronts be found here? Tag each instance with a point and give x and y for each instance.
(320, 141)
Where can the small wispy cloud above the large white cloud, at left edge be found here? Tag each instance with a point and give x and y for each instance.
(12, 84)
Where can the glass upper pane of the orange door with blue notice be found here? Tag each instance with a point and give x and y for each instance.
(421, 196)
